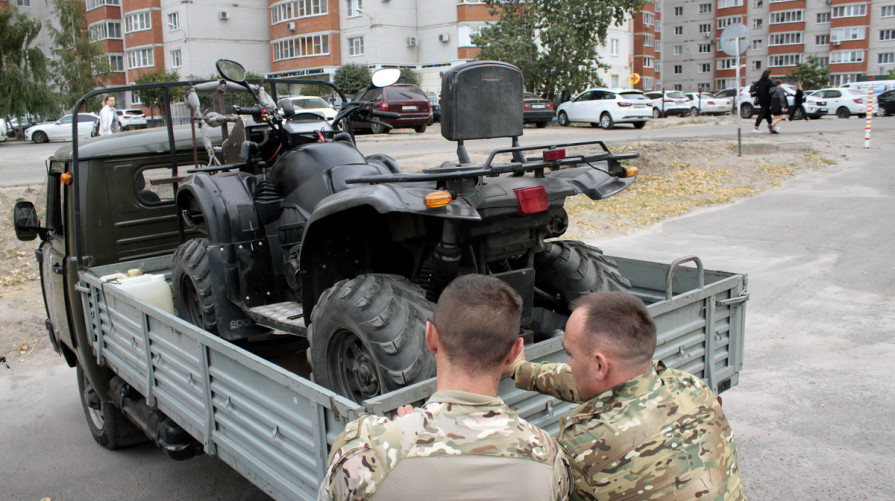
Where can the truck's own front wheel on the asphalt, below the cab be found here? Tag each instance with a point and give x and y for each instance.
(108, 425)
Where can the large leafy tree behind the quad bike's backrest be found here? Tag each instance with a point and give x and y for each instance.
(554, 42)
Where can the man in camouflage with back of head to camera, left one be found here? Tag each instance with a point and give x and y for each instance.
(464, 443)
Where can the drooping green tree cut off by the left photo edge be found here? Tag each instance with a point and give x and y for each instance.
(24, 75)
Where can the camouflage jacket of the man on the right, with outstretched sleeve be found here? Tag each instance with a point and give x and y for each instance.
(661, 435)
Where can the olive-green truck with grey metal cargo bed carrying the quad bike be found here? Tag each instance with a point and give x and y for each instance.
(108, 237)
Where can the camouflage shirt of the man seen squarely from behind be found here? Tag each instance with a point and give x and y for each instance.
(457, 446)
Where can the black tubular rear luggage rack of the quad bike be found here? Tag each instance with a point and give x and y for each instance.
(491, 169)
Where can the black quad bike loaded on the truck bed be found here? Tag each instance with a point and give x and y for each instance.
(307, 236)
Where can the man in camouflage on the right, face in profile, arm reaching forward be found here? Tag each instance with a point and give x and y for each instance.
(643, 432)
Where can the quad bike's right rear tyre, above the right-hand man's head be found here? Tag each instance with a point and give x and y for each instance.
(569, 269)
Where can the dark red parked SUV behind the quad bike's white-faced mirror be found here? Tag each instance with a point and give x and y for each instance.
(407, 100)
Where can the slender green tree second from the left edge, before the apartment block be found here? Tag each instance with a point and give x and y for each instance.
(81, 65)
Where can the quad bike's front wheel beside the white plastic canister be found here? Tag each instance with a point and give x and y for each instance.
(193, 298)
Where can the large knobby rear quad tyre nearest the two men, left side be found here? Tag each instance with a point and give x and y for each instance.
(367, 336)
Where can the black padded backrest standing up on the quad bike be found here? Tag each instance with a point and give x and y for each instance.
(481, 100)
